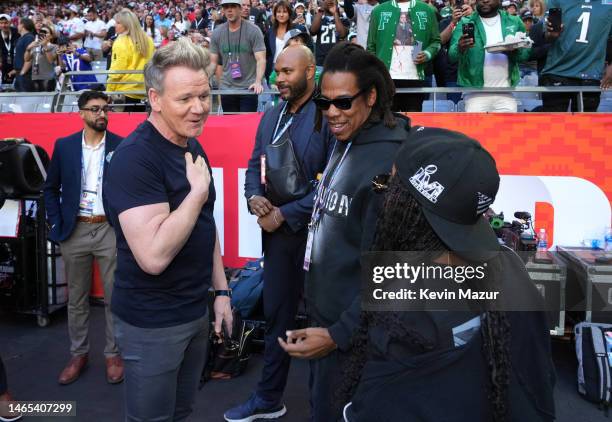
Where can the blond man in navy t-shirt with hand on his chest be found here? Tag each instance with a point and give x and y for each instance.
(161, 197)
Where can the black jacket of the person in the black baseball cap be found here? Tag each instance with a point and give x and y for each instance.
(449, 383)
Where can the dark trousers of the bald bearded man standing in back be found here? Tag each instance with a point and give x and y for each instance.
(284, 283)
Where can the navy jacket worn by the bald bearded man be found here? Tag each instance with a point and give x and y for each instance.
(312, 149)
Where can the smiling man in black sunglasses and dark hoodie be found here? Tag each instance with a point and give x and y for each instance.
(356, 97)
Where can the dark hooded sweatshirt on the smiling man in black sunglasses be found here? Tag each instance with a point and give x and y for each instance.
(346, 227)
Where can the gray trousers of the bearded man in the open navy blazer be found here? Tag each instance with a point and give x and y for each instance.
(78, 251)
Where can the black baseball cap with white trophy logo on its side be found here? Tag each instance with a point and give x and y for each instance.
(454, 179)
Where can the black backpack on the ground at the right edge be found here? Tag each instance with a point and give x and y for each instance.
(594, 353)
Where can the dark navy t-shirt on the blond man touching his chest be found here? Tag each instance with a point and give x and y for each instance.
(148, 169)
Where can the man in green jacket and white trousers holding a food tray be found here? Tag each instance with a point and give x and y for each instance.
(478, 68)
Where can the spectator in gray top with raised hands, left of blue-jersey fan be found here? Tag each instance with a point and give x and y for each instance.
(42, 54)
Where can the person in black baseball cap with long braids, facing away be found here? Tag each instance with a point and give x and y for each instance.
(473, 365)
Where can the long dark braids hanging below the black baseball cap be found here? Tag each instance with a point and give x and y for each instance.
(402, 226)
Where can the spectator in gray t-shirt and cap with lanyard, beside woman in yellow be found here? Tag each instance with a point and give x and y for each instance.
(238, 45)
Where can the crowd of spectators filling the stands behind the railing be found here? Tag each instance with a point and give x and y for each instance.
(433, 43)
